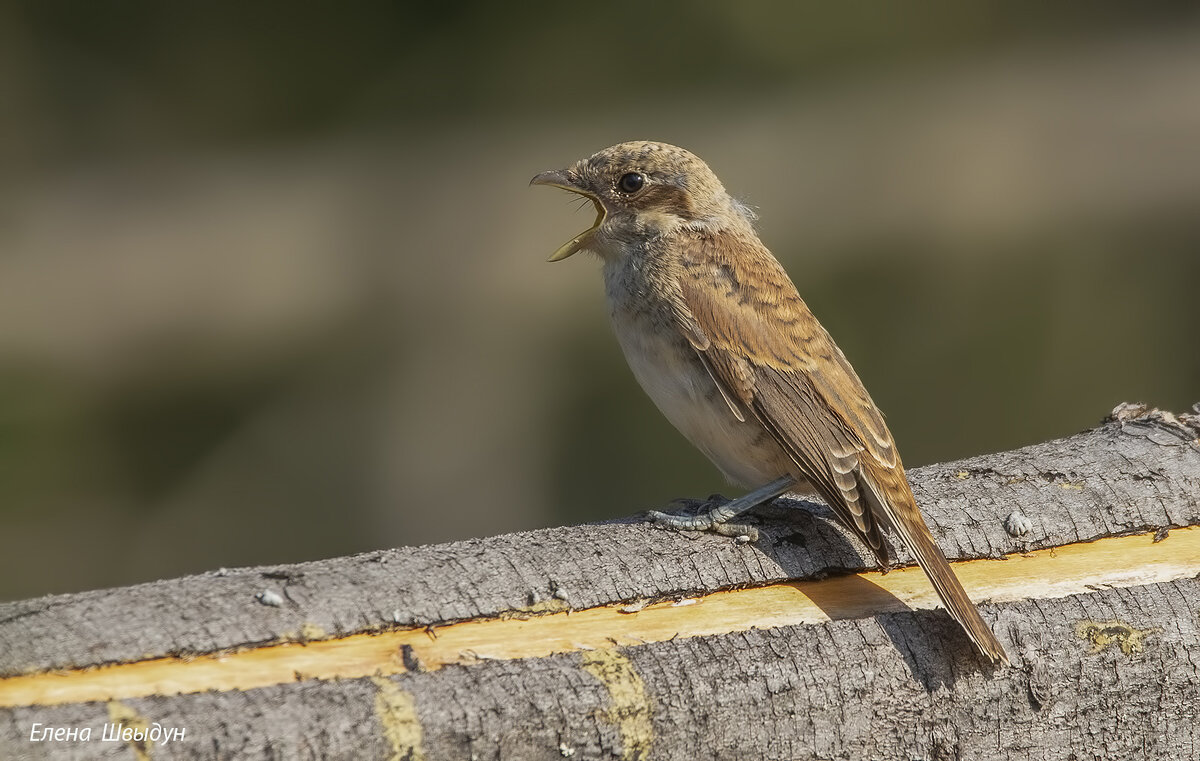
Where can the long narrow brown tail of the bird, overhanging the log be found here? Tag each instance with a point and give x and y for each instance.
(892, 501)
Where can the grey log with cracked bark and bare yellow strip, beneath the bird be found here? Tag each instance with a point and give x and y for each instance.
(622, 640)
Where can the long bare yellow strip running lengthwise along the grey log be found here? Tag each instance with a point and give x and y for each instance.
(1053, 573)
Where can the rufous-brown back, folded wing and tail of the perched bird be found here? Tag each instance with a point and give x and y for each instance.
(767, 351)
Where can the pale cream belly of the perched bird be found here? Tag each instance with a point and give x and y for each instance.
(673, 375)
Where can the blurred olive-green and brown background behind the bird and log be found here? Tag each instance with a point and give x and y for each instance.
(273, 286)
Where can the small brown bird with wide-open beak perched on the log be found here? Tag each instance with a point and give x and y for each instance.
(718, 337)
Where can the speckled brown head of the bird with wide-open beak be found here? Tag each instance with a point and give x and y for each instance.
(643, 190)
